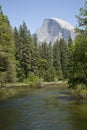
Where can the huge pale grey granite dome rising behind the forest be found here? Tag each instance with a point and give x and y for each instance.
(53, 29)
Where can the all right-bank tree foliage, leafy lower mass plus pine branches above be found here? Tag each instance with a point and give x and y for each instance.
(78, 52)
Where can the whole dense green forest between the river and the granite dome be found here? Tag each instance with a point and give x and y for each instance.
(23, 59)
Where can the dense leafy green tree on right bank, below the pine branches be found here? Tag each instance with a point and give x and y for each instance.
(78, 62)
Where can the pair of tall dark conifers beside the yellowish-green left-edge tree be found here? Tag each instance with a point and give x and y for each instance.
(24, 51)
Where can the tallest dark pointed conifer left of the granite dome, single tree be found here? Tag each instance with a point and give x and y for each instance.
(25, 49)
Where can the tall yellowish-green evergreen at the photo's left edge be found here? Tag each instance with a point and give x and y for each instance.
(7, 59)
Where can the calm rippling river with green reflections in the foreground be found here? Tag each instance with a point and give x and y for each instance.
(43, 109)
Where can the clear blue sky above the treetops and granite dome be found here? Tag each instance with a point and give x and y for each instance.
(33, 12)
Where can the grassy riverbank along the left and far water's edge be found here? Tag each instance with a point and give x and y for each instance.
(11, 90)
